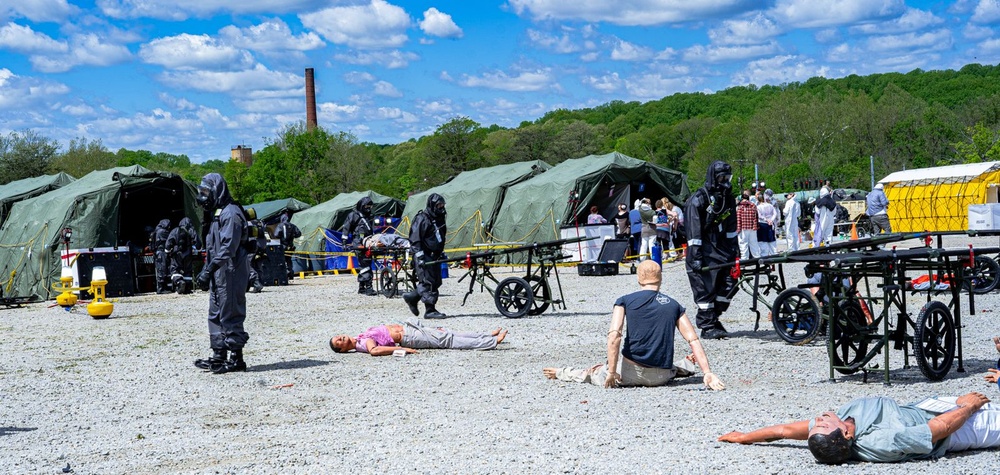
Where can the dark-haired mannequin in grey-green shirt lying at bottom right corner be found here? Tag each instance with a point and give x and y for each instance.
(877, 429)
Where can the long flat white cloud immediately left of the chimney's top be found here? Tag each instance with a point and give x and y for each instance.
(258, 80)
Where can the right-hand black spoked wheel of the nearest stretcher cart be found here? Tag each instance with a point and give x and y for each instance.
(934, 340)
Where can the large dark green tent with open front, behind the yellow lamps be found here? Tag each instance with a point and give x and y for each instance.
(105, 208)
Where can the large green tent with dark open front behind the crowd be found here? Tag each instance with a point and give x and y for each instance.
(536, 209)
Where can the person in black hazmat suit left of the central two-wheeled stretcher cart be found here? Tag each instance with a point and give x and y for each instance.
(427, 237)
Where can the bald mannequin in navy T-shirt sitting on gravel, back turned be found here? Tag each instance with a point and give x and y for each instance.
(647, 358)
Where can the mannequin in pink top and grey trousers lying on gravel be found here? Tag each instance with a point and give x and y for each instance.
(411, 336)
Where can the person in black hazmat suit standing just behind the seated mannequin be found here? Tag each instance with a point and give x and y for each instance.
(710, 224)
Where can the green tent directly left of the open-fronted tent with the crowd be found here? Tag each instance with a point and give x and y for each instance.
(473, 199)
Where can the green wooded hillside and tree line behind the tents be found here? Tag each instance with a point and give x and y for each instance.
(827, 129)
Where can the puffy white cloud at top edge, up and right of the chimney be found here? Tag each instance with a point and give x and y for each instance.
(372, 26)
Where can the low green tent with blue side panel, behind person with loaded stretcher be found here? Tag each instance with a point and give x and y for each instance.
(331, 214)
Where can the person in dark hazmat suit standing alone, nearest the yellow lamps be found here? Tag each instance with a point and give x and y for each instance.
(225, 276)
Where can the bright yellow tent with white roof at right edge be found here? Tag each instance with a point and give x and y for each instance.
(938, 198)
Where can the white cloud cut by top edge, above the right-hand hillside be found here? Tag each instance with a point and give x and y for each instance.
(823, 13)
